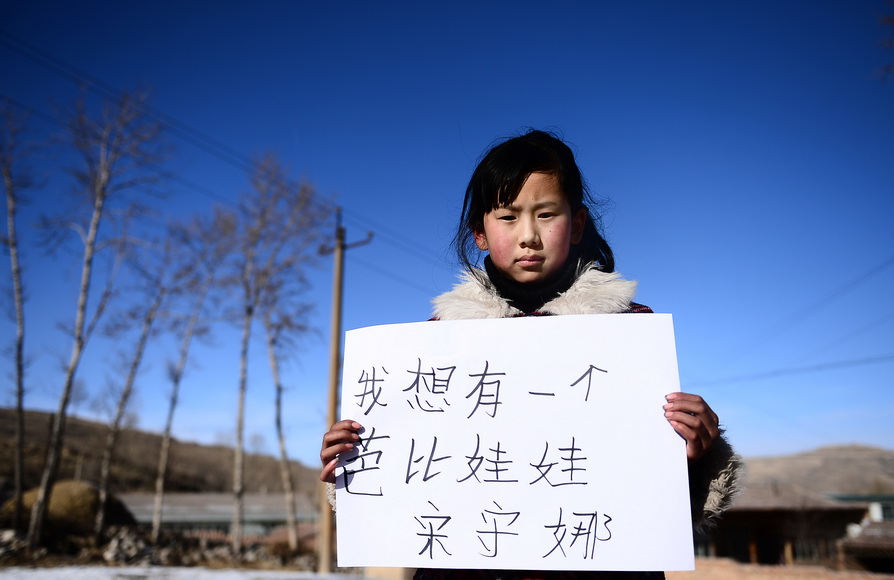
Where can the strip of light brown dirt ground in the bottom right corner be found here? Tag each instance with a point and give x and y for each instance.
(722, 569)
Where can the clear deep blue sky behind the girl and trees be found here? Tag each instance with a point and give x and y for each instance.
(747, 150)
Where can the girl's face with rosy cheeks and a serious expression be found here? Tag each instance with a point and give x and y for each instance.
(530, 239)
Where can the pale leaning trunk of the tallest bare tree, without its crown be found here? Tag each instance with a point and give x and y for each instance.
(54, 448)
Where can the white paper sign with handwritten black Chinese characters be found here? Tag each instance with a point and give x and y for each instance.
(534, 443)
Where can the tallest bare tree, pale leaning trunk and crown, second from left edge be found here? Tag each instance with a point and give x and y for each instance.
(117, 148)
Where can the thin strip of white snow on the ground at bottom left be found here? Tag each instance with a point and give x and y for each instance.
(157, 573)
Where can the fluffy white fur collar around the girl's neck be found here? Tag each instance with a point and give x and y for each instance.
(594, 292)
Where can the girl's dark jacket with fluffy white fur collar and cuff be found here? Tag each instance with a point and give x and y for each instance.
(715, 478)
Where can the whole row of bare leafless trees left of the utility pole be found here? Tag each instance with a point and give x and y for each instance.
(244, 265)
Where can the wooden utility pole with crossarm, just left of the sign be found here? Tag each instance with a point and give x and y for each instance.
(326, 522)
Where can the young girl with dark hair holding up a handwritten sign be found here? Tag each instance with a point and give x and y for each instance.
(527, 207)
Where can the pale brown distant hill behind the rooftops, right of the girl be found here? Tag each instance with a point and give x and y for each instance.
(835, 469)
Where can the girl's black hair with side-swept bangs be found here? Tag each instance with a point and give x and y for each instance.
(499, 177)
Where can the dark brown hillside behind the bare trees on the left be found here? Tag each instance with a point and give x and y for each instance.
(192, 467)
